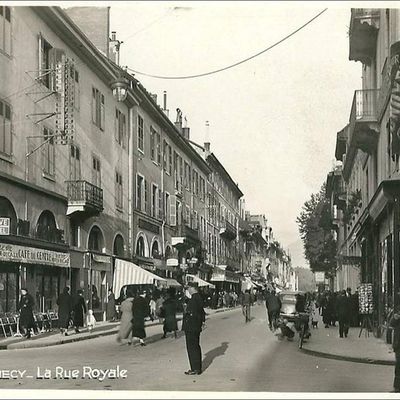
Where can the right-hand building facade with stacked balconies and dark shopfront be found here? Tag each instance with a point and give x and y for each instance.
(368, 199)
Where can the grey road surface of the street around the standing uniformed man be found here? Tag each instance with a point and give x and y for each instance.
(236, 357)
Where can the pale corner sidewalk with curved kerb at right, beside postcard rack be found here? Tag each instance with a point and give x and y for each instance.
(325, 342)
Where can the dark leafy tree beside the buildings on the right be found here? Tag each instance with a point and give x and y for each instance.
(315, 224)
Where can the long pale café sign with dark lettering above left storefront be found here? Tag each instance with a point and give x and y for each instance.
(30, 255)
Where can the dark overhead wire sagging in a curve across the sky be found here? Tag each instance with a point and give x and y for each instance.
(235, 64)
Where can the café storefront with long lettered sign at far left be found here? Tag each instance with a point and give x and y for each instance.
(43, 272)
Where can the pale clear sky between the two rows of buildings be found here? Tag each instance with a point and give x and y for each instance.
(273, 120)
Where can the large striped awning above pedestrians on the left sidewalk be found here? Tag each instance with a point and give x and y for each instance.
(128, 273)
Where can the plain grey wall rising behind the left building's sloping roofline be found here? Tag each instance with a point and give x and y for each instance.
(94, 22)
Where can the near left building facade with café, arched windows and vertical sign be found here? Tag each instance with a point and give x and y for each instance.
(64, 160)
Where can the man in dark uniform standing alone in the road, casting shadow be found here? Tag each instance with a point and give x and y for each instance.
(193, 321)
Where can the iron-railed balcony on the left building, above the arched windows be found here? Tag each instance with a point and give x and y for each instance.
(84, 198)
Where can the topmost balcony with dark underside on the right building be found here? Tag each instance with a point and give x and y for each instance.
(364, 25)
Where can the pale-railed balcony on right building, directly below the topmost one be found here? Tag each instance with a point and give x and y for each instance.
(363, 131)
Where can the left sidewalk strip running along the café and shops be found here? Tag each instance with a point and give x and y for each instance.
(54, 337)
